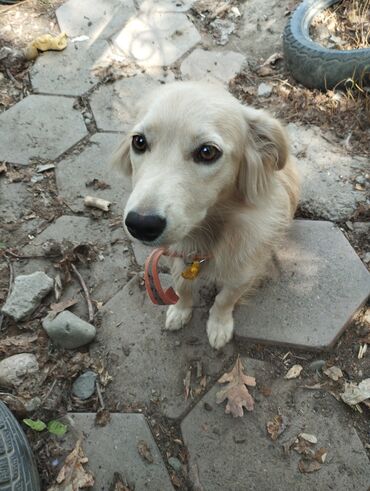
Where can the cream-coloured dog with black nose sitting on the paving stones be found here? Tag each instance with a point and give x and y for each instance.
(212, 179)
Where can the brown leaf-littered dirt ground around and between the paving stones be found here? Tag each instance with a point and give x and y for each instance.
(345, 114)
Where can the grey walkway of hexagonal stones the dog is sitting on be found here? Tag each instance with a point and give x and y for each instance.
(323, 282)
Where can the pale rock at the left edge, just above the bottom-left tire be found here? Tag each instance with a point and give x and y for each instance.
(16, 367)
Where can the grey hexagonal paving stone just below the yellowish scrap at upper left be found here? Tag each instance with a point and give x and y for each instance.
(69, 72)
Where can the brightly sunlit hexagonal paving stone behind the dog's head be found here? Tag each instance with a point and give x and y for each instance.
(157, 39)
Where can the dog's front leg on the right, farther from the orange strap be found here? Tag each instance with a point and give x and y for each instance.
(220, 325)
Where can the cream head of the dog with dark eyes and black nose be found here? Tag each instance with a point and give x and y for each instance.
(195, 145)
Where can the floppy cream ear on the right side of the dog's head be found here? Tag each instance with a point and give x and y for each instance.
(266, 149)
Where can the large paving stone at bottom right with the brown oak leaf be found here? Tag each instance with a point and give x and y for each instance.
(237, 454)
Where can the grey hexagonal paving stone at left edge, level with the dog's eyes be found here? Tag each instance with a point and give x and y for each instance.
(39, 126)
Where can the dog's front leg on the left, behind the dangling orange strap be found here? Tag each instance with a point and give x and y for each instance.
(179, 314)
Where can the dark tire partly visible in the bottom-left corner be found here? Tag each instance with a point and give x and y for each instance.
(18, 471)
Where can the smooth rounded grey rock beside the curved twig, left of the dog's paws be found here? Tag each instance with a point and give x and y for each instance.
(69, 331)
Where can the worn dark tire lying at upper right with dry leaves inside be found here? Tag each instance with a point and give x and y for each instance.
(315, 66)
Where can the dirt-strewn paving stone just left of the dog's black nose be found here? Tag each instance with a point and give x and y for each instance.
(107, 274)
